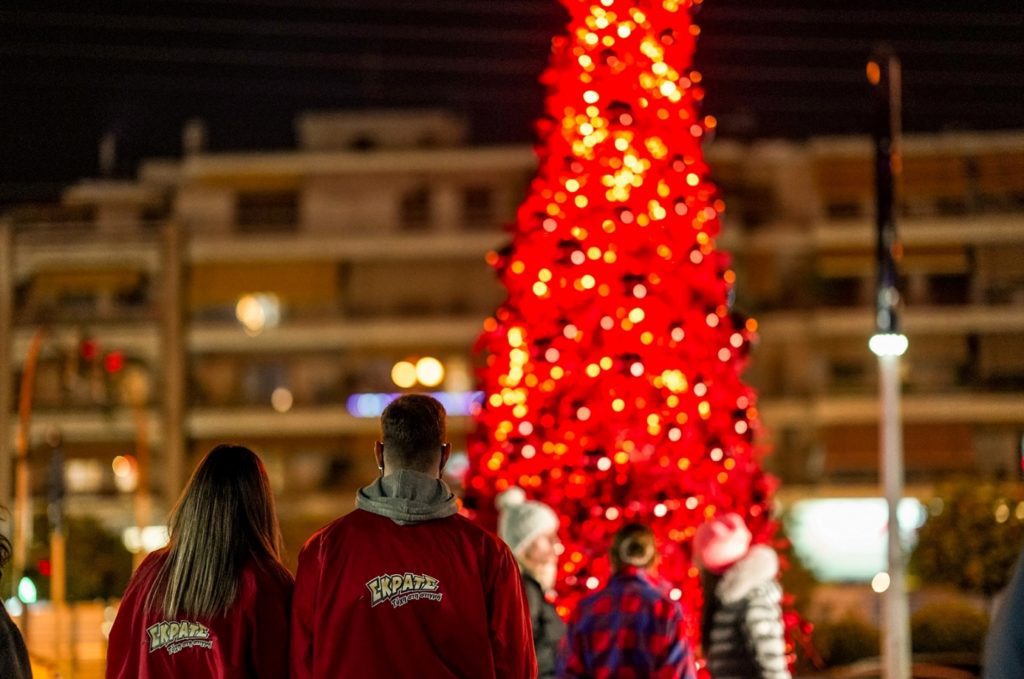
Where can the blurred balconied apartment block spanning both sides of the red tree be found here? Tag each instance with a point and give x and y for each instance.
(270, 298)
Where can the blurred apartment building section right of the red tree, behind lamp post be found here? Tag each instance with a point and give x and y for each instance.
(805, 247)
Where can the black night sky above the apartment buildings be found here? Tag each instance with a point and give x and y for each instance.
(72, 71)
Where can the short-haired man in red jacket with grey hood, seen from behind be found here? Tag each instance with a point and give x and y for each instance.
(404, 586)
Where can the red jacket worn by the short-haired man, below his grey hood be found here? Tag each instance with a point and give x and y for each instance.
(439, 599)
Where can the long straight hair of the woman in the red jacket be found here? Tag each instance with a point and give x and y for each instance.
(225, 519)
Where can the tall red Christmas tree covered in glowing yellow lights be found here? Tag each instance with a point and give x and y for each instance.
(613, 372)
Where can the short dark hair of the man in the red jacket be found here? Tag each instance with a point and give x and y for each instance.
(413, 432)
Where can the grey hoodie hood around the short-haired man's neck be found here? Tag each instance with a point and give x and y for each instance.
(408, 497)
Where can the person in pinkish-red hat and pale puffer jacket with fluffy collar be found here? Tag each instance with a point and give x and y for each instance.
(742, 626)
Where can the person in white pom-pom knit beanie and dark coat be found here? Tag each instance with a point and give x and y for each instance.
(531, 530)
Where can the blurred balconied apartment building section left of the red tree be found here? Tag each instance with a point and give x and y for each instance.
(255, 299)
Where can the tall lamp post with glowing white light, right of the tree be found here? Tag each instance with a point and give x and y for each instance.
(889, 345)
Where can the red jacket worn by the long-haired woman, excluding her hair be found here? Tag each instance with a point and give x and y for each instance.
(250, 641)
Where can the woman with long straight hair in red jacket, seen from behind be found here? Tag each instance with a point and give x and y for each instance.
(216, 603)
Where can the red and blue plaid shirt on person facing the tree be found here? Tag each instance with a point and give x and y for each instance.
(629, 630)
